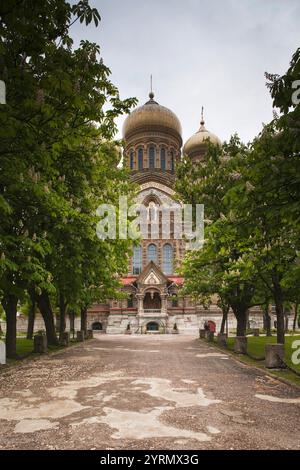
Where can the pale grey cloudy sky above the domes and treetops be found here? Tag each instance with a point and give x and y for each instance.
(210, 53)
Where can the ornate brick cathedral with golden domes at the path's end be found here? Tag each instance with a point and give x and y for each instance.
(153, 144)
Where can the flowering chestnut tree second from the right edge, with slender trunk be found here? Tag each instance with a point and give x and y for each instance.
(272, 252)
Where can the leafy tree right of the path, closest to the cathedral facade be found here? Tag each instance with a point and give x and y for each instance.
(213, 269)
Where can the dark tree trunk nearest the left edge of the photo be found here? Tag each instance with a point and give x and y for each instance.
(10, 303)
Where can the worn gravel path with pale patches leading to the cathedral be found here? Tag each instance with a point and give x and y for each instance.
(145, 392)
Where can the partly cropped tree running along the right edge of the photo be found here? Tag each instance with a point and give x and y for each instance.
(285, 93)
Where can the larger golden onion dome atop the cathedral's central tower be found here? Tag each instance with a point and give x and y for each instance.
(151, 116)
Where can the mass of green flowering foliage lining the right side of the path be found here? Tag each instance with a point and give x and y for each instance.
(252, 213)
